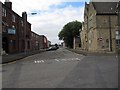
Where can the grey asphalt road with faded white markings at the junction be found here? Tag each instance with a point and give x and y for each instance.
(62, 69)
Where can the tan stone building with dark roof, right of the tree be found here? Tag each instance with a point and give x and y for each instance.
(99, 27)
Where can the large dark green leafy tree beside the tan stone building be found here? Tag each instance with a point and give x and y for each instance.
(69, 31)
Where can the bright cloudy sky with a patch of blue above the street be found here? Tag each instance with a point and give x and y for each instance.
(51, 15)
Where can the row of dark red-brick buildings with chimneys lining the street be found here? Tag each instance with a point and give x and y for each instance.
(17, 36)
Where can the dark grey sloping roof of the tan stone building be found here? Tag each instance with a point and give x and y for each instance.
(105, 7)
